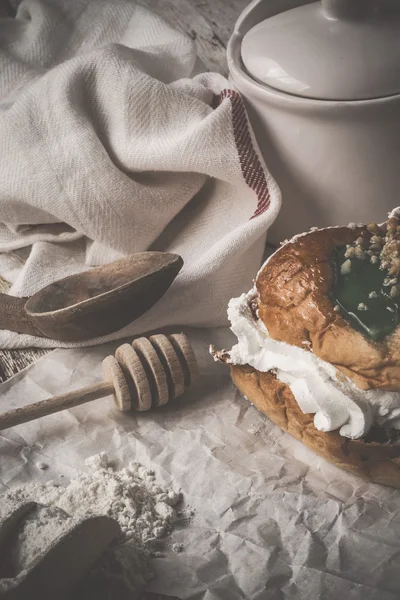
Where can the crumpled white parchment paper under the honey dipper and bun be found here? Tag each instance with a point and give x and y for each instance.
(271, 520)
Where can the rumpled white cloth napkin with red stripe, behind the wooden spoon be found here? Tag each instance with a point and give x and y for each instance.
(108, 147)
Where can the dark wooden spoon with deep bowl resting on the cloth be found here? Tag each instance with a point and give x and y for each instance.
(93, 303)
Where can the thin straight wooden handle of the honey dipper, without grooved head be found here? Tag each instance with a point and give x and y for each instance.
(55, 404)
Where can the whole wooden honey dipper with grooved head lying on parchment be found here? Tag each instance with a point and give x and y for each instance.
(150, 372)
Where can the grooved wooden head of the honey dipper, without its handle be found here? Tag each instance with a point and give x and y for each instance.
(150, 372)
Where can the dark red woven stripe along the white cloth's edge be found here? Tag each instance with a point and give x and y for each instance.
(253, 173)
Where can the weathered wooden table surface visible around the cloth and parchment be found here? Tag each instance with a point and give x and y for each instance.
(209, 23)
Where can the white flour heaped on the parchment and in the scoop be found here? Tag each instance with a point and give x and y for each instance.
(145, 512)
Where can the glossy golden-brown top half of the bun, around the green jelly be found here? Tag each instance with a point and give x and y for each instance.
(294, 305)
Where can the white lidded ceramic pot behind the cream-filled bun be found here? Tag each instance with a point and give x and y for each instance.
(335, 160)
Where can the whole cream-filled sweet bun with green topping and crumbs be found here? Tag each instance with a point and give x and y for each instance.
(318, 346)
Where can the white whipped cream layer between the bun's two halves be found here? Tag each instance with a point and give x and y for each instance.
(336, 403)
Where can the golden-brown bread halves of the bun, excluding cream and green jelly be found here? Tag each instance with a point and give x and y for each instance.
(293, 301)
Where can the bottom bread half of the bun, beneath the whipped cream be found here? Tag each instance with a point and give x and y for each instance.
(377, 461)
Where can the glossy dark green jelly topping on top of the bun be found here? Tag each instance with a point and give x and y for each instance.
(378, 315)
